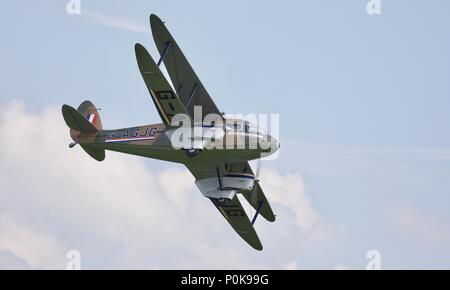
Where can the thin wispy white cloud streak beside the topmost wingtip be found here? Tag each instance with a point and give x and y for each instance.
(115, 22)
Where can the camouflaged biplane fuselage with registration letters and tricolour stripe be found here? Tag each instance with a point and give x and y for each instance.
(155, 141)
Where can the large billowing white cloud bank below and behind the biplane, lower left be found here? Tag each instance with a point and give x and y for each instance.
(118, 213)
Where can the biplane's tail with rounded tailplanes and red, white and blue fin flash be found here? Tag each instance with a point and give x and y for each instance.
(84, 120)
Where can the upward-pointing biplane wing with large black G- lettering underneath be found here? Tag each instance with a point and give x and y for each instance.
(164, 98)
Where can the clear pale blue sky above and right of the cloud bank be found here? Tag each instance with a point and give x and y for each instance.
(362, 99)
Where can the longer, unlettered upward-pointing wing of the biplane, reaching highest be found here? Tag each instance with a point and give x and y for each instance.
(185, 81)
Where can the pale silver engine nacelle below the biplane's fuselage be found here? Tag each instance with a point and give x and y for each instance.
(231, 184)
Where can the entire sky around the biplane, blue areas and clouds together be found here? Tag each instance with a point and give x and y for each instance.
(364, 162)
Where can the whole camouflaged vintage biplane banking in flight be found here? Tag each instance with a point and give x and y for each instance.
(220, 172)
